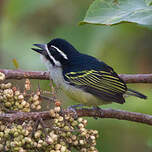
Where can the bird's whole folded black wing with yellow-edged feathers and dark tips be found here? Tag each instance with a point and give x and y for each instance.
(105, 85)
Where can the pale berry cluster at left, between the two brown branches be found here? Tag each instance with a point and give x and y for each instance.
(15, 100)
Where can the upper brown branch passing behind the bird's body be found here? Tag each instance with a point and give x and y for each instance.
(19, 74)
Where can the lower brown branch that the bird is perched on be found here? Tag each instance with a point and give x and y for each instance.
(98, 113)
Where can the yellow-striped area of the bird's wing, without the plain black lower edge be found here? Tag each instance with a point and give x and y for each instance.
(100, 80)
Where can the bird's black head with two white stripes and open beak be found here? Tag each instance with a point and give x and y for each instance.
(57, 52)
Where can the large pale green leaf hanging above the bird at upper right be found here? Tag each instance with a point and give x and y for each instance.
(109, 12)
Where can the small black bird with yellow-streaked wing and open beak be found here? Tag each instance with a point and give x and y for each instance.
(83, 78)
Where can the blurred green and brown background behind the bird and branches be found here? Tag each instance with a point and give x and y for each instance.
(125, 47)
